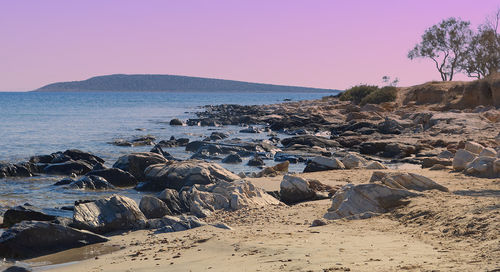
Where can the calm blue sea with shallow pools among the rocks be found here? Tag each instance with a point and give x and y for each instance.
(34, 123)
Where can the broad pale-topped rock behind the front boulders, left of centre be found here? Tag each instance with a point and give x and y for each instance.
(184, 173)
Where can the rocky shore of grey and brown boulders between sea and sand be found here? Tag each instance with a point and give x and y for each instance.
(327, 136)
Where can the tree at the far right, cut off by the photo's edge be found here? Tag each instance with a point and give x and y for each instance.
(483, 51)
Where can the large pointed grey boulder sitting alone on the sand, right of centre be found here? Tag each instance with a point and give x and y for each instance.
(365, 200)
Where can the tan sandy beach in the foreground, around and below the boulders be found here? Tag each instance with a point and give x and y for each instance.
(456, 231)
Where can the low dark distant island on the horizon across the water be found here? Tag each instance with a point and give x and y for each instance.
(121, 82)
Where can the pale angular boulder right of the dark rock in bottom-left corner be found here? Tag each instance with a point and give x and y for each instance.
(115, 213)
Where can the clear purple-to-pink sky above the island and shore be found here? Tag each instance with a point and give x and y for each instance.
(325, 44)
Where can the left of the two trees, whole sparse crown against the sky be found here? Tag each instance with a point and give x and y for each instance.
(446, 45)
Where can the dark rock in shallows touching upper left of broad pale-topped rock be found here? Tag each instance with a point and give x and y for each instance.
(136, 163)
